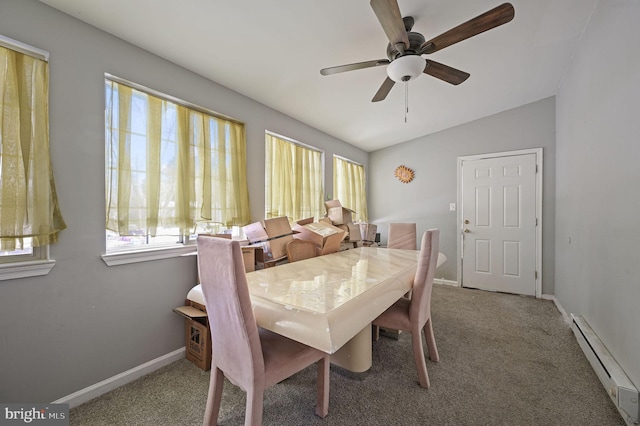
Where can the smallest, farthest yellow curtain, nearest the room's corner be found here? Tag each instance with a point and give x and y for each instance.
(349, 186)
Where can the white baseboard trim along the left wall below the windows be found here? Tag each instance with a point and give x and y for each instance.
(94, 391)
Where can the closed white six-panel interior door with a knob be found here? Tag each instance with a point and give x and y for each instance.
(499, 223)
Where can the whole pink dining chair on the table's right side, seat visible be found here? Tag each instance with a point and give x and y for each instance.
(414, 314)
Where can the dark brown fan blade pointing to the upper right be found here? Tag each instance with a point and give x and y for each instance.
(488, 20)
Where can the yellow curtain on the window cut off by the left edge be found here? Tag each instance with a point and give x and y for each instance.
(28, 201)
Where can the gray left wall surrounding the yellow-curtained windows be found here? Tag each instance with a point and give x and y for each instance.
(86, 322)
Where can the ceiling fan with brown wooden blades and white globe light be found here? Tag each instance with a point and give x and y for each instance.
(405, 48)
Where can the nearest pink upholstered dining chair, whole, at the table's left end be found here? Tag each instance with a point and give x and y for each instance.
(252, 358)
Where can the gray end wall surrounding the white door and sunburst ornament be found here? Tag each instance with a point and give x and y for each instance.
(434, 159)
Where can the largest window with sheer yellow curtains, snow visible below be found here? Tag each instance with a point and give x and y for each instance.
(172, 170)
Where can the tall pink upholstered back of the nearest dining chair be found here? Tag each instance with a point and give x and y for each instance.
(234, 333)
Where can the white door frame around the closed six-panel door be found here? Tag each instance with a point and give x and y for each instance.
(538, 249)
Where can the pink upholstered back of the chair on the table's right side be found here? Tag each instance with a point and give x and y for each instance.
(420, 308)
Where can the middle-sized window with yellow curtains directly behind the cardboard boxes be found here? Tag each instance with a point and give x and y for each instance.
(294, 176)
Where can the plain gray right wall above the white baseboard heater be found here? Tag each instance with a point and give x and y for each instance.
(598, 200)
